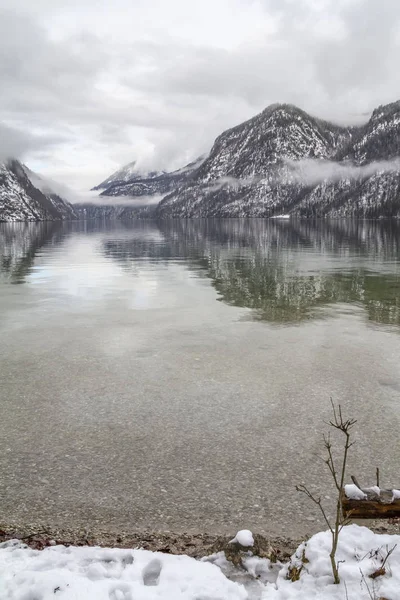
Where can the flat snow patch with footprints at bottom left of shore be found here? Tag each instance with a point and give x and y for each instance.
(108, 574)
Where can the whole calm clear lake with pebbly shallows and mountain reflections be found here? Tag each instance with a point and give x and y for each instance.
(177, 375)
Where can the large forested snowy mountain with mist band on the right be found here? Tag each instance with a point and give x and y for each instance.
(283, 161)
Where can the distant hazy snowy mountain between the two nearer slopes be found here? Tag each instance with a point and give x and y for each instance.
(128, 182)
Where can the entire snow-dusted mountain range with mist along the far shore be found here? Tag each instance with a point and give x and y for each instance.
(281, 162)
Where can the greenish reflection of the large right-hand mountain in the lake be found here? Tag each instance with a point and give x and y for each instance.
(284, 271)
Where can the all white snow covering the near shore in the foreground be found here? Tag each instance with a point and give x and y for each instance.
(114, 574)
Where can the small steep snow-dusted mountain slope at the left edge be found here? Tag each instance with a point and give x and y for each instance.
(22, 200)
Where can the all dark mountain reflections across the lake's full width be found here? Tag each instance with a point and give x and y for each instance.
(286, 272)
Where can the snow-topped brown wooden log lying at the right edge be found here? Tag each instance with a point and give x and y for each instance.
(373, 506)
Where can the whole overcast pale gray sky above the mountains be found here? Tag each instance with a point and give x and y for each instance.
(88, 85)
